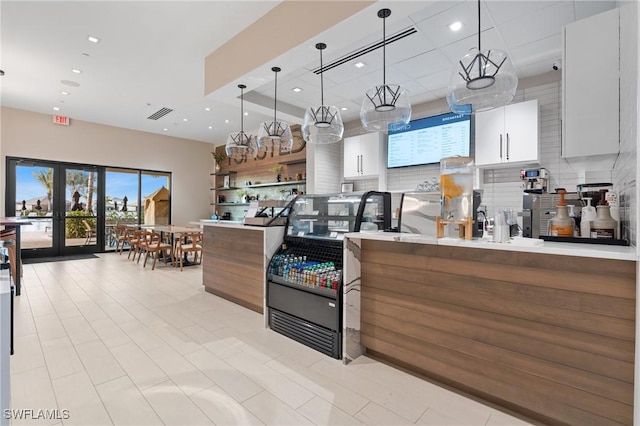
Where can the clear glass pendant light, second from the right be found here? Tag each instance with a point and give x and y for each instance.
(385, 106)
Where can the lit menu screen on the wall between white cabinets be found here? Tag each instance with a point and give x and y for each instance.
(427, 140)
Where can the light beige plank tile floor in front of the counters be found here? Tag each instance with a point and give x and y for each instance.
(111, 342)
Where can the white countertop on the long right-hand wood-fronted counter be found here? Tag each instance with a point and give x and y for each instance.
(527, 245)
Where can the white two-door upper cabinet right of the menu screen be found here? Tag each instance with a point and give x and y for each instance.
(508, 135)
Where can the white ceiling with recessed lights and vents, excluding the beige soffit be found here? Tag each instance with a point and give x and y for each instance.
(151, 55)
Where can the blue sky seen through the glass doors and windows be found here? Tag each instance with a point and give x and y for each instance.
(117, 184)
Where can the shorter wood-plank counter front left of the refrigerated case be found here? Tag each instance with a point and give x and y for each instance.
(233, 265)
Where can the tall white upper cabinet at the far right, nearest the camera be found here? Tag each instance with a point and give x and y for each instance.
(590, 82)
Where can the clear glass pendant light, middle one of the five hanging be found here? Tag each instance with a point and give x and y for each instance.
(323, 124)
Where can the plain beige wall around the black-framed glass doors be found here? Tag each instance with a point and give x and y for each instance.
(33, 135)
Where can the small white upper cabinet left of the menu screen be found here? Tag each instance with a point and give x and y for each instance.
(362, 155)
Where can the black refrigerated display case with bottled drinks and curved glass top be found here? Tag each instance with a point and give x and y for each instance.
(304, 277)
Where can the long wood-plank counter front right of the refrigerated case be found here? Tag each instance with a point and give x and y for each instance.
(551, 337)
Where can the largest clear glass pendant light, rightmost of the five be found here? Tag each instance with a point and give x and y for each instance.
(482, 80)
